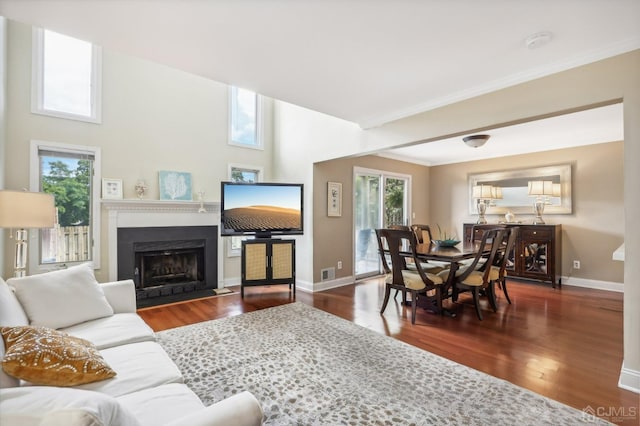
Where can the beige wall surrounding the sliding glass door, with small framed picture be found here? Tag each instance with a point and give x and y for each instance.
(333, 237)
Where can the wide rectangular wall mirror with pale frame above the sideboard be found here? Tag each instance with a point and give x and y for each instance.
(514, 185)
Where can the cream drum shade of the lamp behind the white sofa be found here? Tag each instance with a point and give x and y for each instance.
(20, 209)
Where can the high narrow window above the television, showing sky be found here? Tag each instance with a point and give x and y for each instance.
(244, 118)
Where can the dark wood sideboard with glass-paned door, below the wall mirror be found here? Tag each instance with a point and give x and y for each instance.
(537, 254)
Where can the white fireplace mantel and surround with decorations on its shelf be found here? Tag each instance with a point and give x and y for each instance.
(144, 213)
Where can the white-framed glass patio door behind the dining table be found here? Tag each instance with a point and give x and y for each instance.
(381, 199)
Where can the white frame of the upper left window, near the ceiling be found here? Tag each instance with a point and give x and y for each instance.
(37, 82)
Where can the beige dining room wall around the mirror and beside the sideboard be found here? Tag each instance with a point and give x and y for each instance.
(590, 234)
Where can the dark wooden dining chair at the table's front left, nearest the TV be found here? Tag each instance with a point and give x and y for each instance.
(400, 244)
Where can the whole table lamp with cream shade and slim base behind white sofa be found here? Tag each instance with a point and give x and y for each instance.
(21, 210)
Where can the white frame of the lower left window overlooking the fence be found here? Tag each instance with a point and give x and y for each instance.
(34, 184)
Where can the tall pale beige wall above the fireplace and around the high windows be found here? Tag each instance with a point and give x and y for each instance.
(154, 118)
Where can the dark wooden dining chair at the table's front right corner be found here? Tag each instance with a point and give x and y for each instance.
(470, 278)
